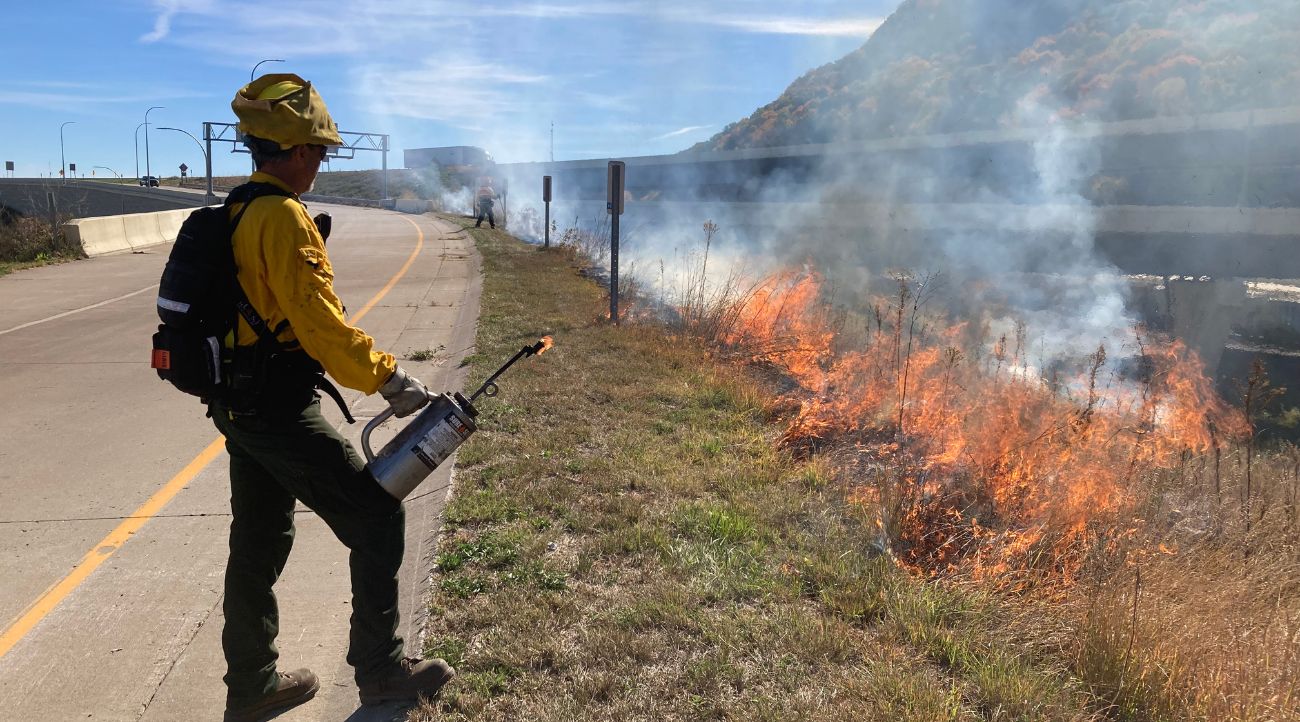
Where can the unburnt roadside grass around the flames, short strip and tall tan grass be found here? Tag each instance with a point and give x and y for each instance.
(629, 542)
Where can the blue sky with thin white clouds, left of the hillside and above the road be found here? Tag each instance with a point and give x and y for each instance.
(617, 77)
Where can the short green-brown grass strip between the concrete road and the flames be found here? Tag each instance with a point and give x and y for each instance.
(627, 542)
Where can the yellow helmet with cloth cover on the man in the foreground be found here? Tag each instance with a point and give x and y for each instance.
(287, 110)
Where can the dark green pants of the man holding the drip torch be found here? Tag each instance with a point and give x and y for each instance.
(275, 460)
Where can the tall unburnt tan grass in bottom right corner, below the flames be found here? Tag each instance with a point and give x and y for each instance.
(1198, 617)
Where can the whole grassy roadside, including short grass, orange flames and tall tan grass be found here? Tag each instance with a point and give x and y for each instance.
(640, 531)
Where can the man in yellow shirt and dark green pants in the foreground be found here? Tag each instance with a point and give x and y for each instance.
(281, 448)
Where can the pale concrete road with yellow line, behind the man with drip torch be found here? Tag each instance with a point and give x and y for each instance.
(115, 496)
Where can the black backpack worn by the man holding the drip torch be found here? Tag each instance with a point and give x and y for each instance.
(200, 297)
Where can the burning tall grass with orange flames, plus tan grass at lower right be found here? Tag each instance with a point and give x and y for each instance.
(980, 468)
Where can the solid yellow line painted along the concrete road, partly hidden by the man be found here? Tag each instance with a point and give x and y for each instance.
(57, 594)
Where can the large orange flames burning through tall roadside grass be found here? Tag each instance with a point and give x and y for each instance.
(990, 465)
